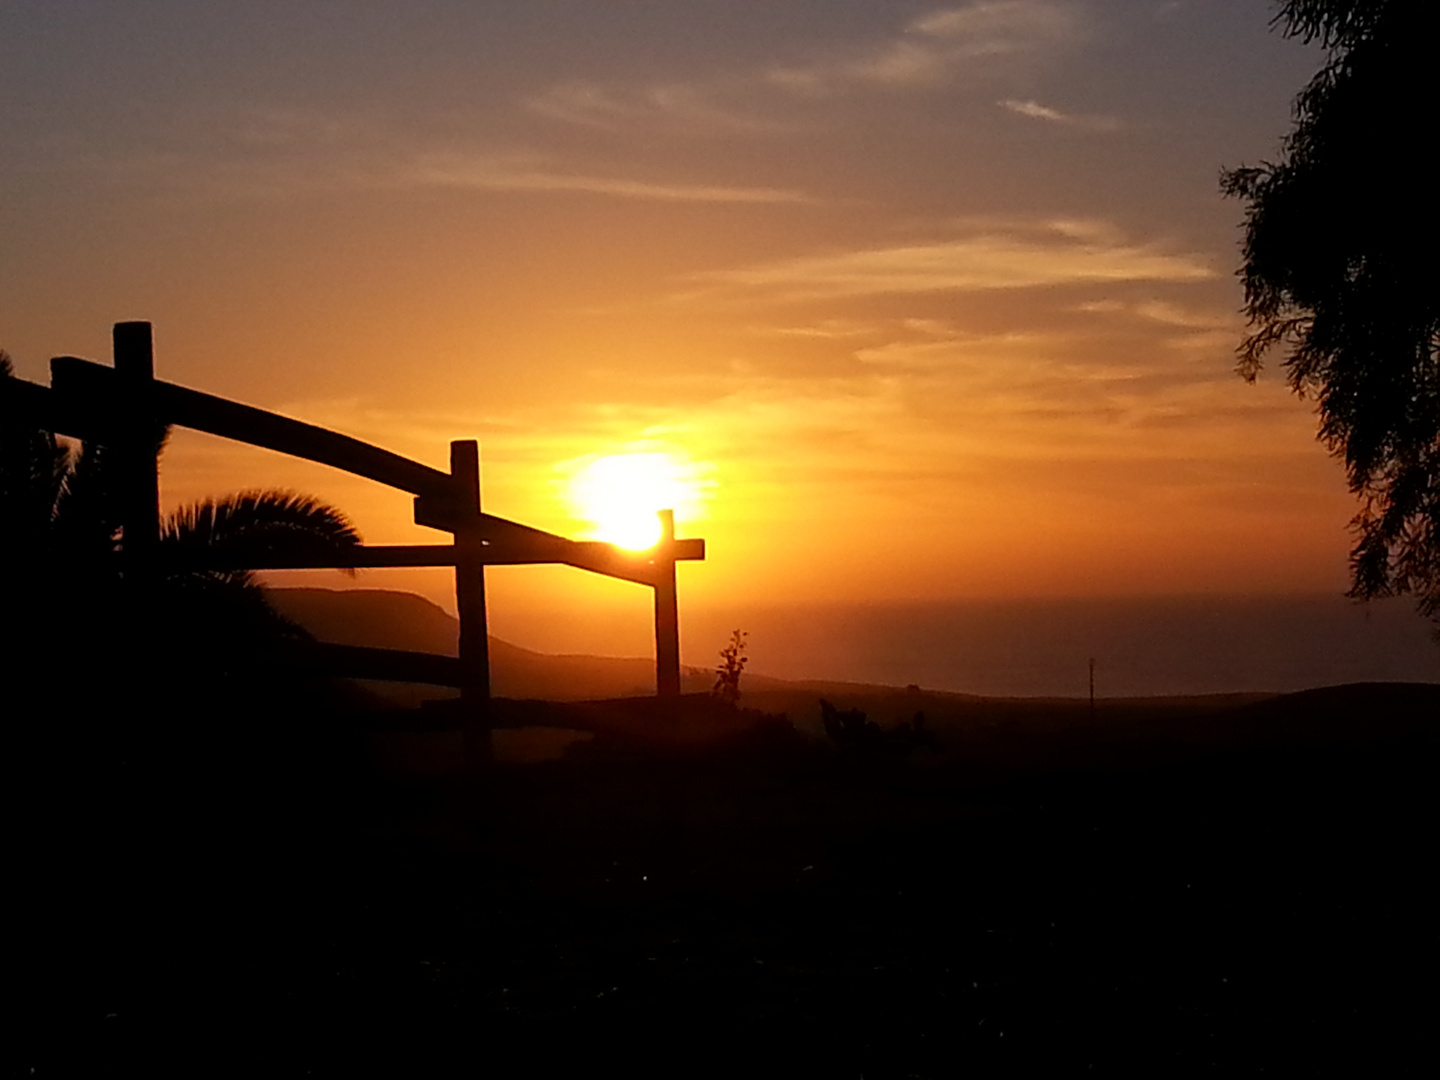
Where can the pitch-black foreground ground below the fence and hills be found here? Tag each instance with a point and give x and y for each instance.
(1262, 902)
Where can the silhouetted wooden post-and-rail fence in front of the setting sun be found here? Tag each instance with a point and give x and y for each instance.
(125, 405)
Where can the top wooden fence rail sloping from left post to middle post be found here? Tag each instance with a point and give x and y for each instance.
(97, 387)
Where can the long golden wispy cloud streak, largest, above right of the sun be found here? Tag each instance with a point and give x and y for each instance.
(1020, 257)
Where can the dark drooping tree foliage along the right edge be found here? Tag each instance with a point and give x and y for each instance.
(1343, 273)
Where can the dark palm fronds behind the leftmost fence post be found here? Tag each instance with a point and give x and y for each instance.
(61, 541)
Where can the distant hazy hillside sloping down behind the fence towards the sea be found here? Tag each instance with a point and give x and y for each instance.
(991, 732)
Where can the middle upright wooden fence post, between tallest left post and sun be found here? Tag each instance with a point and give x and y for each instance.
(470, 603)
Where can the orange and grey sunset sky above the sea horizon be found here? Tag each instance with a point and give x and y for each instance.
(915, 300)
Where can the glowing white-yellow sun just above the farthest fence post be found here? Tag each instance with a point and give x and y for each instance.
(621, 495)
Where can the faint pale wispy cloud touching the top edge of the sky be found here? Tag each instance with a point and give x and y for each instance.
(938, 47)
